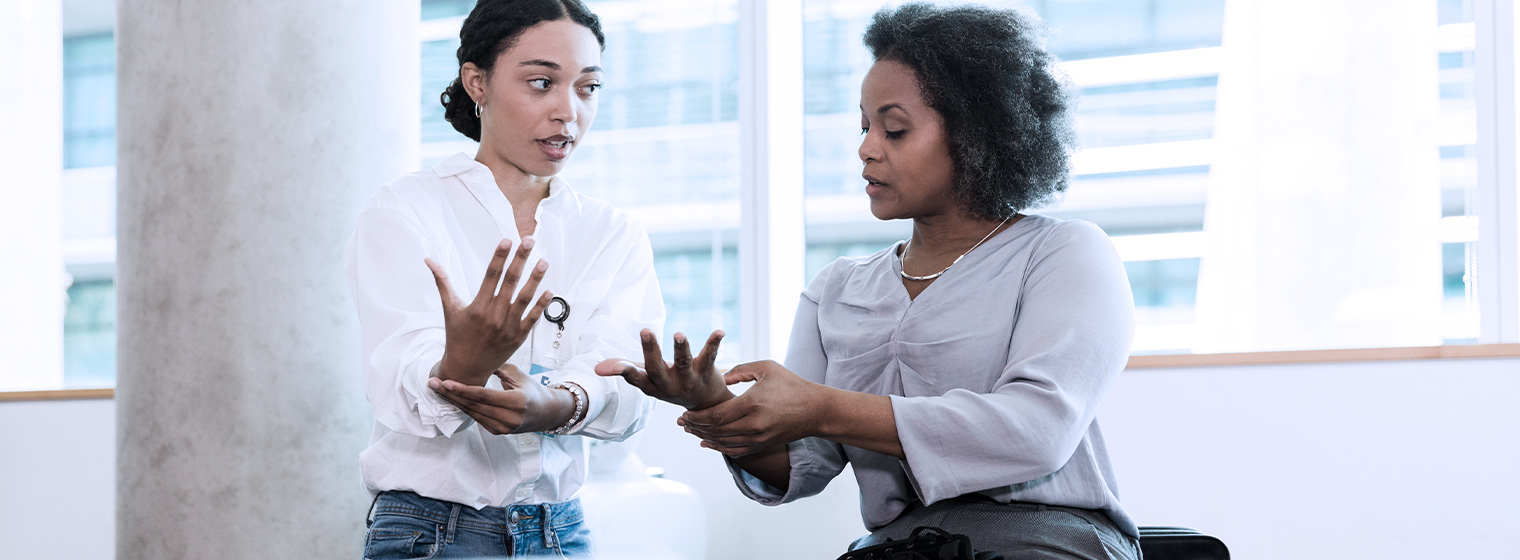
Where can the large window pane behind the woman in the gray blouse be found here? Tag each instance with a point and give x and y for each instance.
(1165, 139)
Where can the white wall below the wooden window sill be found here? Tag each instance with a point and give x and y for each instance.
(1385, 460)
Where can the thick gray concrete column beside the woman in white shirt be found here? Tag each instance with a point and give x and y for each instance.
(250, 136)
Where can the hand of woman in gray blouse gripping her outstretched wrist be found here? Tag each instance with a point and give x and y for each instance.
(781, 409)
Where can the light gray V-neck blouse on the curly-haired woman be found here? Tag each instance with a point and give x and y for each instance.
(996, 374)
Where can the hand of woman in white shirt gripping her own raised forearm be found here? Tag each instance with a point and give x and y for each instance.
(521, 407)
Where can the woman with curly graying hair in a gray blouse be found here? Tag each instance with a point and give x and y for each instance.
(960, 372)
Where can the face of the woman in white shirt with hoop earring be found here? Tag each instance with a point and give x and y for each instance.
(540, 98)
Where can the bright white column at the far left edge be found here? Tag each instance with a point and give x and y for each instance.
(33, 279)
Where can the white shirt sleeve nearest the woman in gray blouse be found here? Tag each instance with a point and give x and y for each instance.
(616, 410)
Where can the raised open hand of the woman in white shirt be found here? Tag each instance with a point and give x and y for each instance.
(483, 336)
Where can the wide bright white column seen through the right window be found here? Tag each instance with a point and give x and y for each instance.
(1325, 197)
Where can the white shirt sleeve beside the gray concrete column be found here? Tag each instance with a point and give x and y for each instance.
(402, 323)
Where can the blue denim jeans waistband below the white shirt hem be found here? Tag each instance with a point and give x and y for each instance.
(513, 520)
